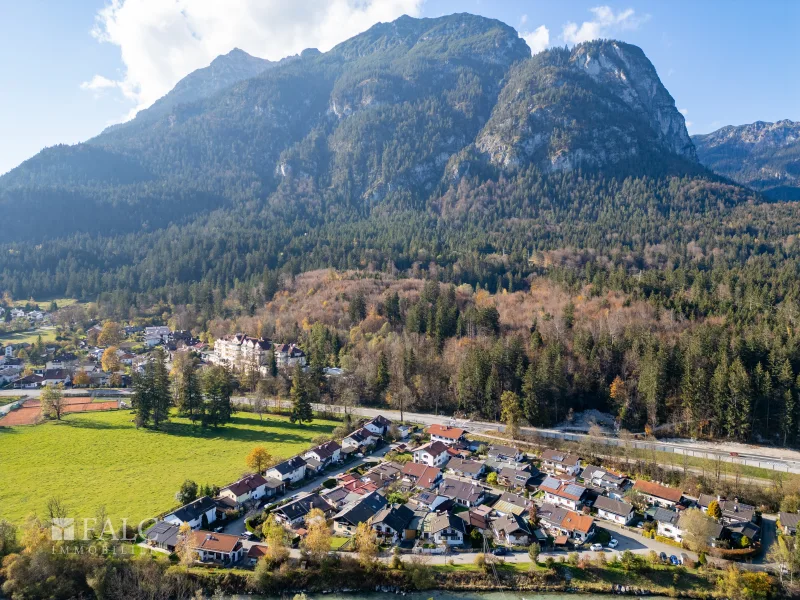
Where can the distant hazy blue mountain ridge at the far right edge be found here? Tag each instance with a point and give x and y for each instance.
(764, 156)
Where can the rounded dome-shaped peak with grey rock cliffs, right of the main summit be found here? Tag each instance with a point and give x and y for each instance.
(601, 103)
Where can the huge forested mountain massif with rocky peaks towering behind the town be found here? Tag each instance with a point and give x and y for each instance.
(417, 142)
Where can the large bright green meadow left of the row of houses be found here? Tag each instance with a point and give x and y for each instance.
(94, 459)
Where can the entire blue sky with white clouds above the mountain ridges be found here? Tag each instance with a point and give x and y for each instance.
(69, 69)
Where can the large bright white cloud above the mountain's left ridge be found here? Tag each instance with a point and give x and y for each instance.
(162, 41)
